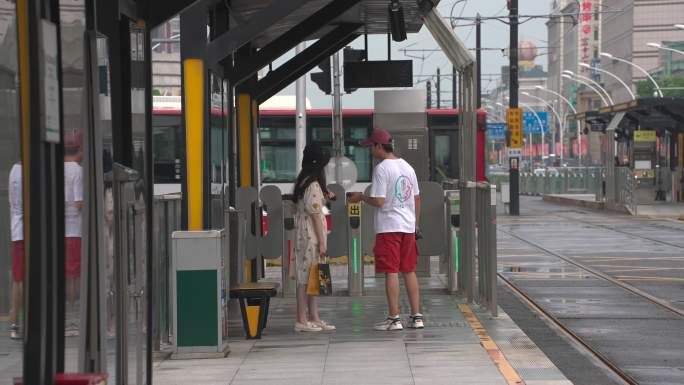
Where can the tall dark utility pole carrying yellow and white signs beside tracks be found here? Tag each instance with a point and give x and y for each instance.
(513, 103)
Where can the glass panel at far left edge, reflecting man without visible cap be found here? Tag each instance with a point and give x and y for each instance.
(11, 208)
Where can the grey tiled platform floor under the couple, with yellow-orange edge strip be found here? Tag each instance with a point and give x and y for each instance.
(460, 345)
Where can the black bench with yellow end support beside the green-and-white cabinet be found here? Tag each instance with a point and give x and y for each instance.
(254, 300)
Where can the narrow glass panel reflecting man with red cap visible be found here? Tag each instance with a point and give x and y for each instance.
(72, 18)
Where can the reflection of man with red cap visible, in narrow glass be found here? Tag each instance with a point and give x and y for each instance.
(73, 199)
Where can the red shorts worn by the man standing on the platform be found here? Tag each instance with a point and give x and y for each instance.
(395, 252)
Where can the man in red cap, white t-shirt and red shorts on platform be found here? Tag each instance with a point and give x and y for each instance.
(396, 195)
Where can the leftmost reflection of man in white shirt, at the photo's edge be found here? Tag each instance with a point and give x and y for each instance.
(17, 225)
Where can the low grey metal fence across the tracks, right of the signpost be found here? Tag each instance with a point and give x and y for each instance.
(570, 180)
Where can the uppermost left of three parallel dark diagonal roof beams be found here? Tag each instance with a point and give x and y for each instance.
(235, 38)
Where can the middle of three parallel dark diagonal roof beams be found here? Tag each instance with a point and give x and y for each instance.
(250, 65)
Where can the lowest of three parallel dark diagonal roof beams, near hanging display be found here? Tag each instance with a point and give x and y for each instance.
(278, 79)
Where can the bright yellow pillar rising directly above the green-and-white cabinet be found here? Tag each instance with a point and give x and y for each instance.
(193, 89)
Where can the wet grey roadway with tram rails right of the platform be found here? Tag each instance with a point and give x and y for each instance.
(557, 255)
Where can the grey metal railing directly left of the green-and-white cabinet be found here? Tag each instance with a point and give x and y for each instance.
(167, 219)
